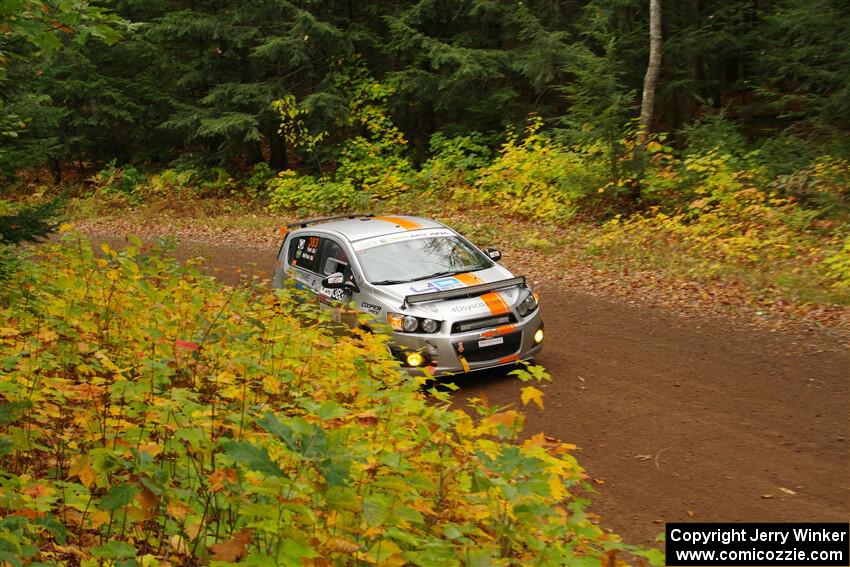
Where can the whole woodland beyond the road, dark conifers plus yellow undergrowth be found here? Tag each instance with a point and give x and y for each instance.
(527, 109)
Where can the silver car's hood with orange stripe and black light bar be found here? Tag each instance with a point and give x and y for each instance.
(479, 305)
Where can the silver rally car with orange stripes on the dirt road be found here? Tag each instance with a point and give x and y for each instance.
(450, 305)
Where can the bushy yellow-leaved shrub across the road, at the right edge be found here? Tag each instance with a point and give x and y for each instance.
(729, 222)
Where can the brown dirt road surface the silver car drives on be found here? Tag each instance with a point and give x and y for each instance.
(676, 419)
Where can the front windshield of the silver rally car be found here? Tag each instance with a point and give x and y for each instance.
(420, 259)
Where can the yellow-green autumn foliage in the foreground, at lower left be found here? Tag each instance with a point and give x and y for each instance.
(150, 416)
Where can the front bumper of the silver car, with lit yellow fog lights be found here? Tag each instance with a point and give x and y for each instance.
(446, 352)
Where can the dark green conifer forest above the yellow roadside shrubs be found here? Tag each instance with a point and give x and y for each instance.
(158, 83)
